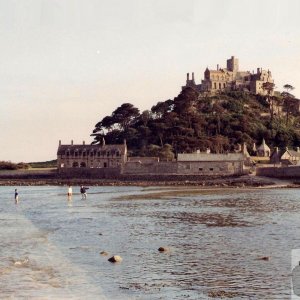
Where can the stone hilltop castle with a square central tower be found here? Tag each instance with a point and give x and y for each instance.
(231, 78)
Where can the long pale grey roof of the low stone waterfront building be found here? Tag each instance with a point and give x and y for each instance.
(210, 157)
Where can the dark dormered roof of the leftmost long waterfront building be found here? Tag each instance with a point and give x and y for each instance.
(63, 148)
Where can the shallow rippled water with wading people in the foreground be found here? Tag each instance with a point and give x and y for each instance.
(50, 247)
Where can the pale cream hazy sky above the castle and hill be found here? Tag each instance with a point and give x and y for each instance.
(66, 64)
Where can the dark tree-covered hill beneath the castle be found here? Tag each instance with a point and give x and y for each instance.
(194, 121)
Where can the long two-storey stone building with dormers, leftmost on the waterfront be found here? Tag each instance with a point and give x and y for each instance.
(91, 156)
